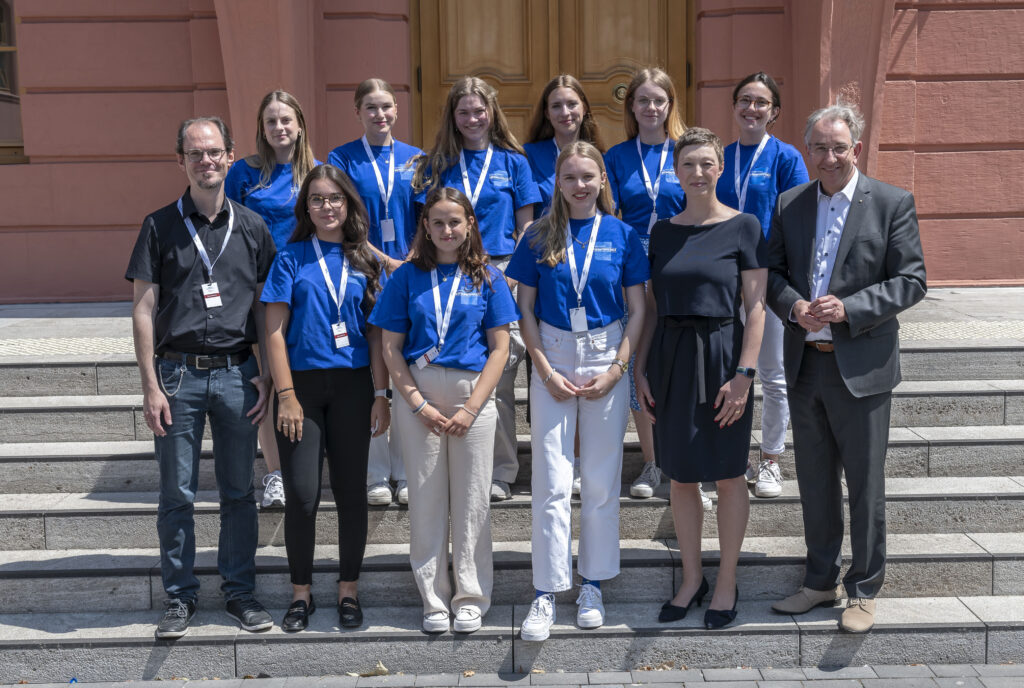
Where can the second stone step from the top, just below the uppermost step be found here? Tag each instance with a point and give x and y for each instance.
(119, 417)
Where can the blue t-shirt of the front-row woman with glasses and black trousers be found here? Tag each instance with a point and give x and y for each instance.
(296, 280)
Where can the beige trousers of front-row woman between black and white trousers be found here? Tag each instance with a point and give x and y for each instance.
(449, 488)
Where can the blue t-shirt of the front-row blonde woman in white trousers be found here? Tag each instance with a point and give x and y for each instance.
(619, 262)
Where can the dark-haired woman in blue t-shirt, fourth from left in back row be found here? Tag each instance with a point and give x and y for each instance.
(562, 116)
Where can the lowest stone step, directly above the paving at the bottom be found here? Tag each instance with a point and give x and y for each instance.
(119, 646)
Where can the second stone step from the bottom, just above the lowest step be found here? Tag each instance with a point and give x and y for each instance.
(935, 566)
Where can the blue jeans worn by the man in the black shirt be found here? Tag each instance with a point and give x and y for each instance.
(226, 395)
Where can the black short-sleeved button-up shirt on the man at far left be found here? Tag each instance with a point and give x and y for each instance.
(166, 256)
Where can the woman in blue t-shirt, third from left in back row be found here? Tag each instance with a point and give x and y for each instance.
(478, 154)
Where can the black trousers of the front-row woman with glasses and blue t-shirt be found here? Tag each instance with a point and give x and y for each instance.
(336, 406)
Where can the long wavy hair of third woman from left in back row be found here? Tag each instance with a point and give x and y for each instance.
(449, 144)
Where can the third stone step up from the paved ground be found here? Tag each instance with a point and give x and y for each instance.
(126, 521)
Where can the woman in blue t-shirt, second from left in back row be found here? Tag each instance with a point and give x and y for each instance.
(382, 170)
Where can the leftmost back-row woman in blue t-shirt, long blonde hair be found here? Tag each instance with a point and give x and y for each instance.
(269, 184)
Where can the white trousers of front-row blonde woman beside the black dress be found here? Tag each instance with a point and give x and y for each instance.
(603, 426)
